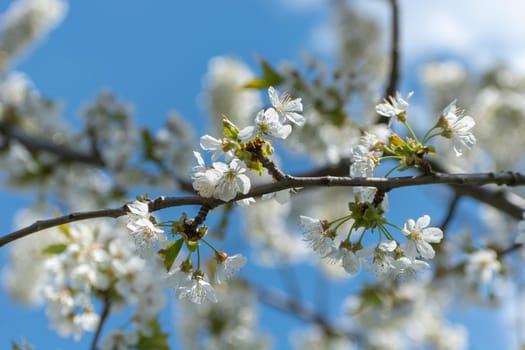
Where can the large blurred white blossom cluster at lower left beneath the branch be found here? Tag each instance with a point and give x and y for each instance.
(98, 261)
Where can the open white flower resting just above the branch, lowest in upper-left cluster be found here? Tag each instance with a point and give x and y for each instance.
(232, 180)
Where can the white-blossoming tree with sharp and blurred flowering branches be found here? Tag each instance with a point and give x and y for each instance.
(110, 252)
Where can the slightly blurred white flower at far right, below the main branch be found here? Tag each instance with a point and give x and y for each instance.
(482, 265)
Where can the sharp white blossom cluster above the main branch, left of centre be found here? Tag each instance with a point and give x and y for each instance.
(242, 148)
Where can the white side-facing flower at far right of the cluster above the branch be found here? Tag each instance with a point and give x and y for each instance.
(456, 126)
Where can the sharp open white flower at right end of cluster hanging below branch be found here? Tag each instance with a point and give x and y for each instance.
(419, 238)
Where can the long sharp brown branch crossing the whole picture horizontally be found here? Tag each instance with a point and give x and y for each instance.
(290, 182)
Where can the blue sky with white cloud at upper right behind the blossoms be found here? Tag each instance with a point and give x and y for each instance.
(155, 56)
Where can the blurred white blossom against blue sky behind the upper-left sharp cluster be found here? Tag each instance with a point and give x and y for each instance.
(223, 92)
